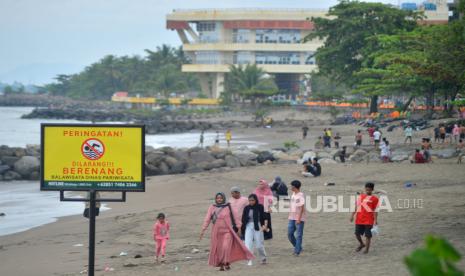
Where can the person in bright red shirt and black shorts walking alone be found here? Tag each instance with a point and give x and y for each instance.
(366, 216)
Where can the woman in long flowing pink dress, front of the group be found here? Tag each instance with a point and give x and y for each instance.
(225, 246)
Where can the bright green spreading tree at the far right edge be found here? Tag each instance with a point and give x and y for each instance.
(427, 61)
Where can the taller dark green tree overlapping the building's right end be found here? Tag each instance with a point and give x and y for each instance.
(345, 37)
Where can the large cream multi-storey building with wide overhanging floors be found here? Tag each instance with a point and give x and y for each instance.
(273, 39)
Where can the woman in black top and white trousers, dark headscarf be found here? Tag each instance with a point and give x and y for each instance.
(254, 224)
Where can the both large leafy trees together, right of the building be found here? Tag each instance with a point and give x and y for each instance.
(373, 49)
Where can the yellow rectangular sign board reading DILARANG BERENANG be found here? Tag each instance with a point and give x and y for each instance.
(84, 157)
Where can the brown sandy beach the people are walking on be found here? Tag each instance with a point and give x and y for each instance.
(329, 243)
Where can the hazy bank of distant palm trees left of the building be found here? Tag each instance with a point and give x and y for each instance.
(156, 74)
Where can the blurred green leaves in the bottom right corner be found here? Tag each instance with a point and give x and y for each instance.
(437, 258)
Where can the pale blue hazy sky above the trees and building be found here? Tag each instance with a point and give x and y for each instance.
(42, 38)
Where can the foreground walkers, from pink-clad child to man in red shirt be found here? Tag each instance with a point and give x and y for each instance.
(240, 225)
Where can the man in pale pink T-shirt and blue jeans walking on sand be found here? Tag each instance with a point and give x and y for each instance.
(296, 218)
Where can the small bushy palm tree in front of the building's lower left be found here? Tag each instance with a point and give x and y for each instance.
(249, 82)
